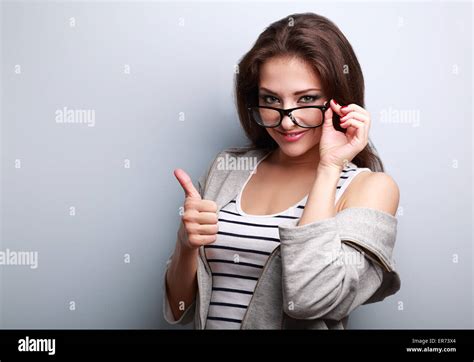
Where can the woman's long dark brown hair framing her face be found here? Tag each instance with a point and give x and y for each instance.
(319, 42)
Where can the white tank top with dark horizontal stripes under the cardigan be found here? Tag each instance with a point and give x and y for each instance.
(243, 245)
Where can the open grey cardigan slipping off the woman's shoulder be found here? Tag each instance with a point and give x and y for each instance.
(300, 287)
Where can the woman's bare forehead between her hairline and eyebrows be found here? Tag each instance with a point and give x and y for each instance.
(285, 74)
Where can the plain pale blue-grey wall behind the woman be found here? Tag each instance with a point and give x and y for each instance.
(175, 109)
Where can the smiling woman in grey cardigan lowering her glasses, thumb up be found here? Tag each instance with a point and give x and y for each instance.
(309, 237)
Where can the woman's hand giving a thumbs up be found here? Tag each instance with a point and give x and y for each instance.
(199, 217)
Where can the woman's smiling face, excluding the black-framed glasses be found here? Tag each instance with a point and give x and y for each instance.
(287, 83)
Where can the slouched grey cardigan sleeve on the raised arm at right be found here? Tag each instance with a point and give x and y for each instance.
(331, 266)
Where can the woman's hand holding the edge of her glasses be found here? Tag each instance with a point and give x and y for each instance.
(336, 147)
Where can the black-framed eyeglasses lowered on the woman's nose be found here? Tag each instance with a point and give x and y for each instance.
(305, 116)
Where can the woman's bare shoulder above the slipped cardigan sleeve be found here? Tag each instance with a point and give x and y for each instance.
(376, 190)
